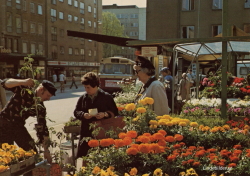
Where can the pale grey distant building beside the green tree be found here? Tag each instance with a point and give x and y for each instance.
(134, 21)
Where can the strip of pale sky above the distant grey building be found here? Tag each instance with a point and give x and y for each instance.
(139, 3)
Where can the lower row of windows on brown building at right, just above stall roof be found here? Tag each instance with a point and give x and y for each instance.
(188, 31)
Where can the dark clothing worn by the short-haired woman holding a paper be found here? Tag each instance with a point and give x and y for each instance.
(103, 102)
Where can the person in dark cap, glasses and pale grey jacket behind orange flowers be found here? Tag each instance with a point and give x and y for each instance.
(151, 86)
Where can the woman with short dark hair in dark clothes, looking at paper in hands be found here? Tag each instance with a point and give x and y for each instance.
(93, 105)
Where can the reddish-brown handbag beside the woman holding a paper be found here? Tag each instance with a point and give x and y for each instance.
(114, 123)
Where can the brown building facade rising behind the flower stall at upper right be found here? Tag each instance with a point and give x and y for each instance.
(168, 19)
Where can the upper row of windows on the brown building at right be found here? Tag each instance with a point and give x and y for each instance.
(188, 5)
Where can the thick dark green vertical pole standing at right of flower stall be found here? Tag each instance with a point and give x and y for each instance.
(224, 61)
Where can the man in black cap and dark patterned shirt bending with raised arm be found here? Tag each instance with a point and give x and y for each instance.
(23, 104)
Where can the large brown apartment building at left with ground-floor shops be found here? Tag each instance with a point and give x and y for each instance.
(40, 27)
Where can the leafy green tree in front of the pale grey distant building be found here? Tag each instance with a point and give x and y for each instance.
(111, 26)
